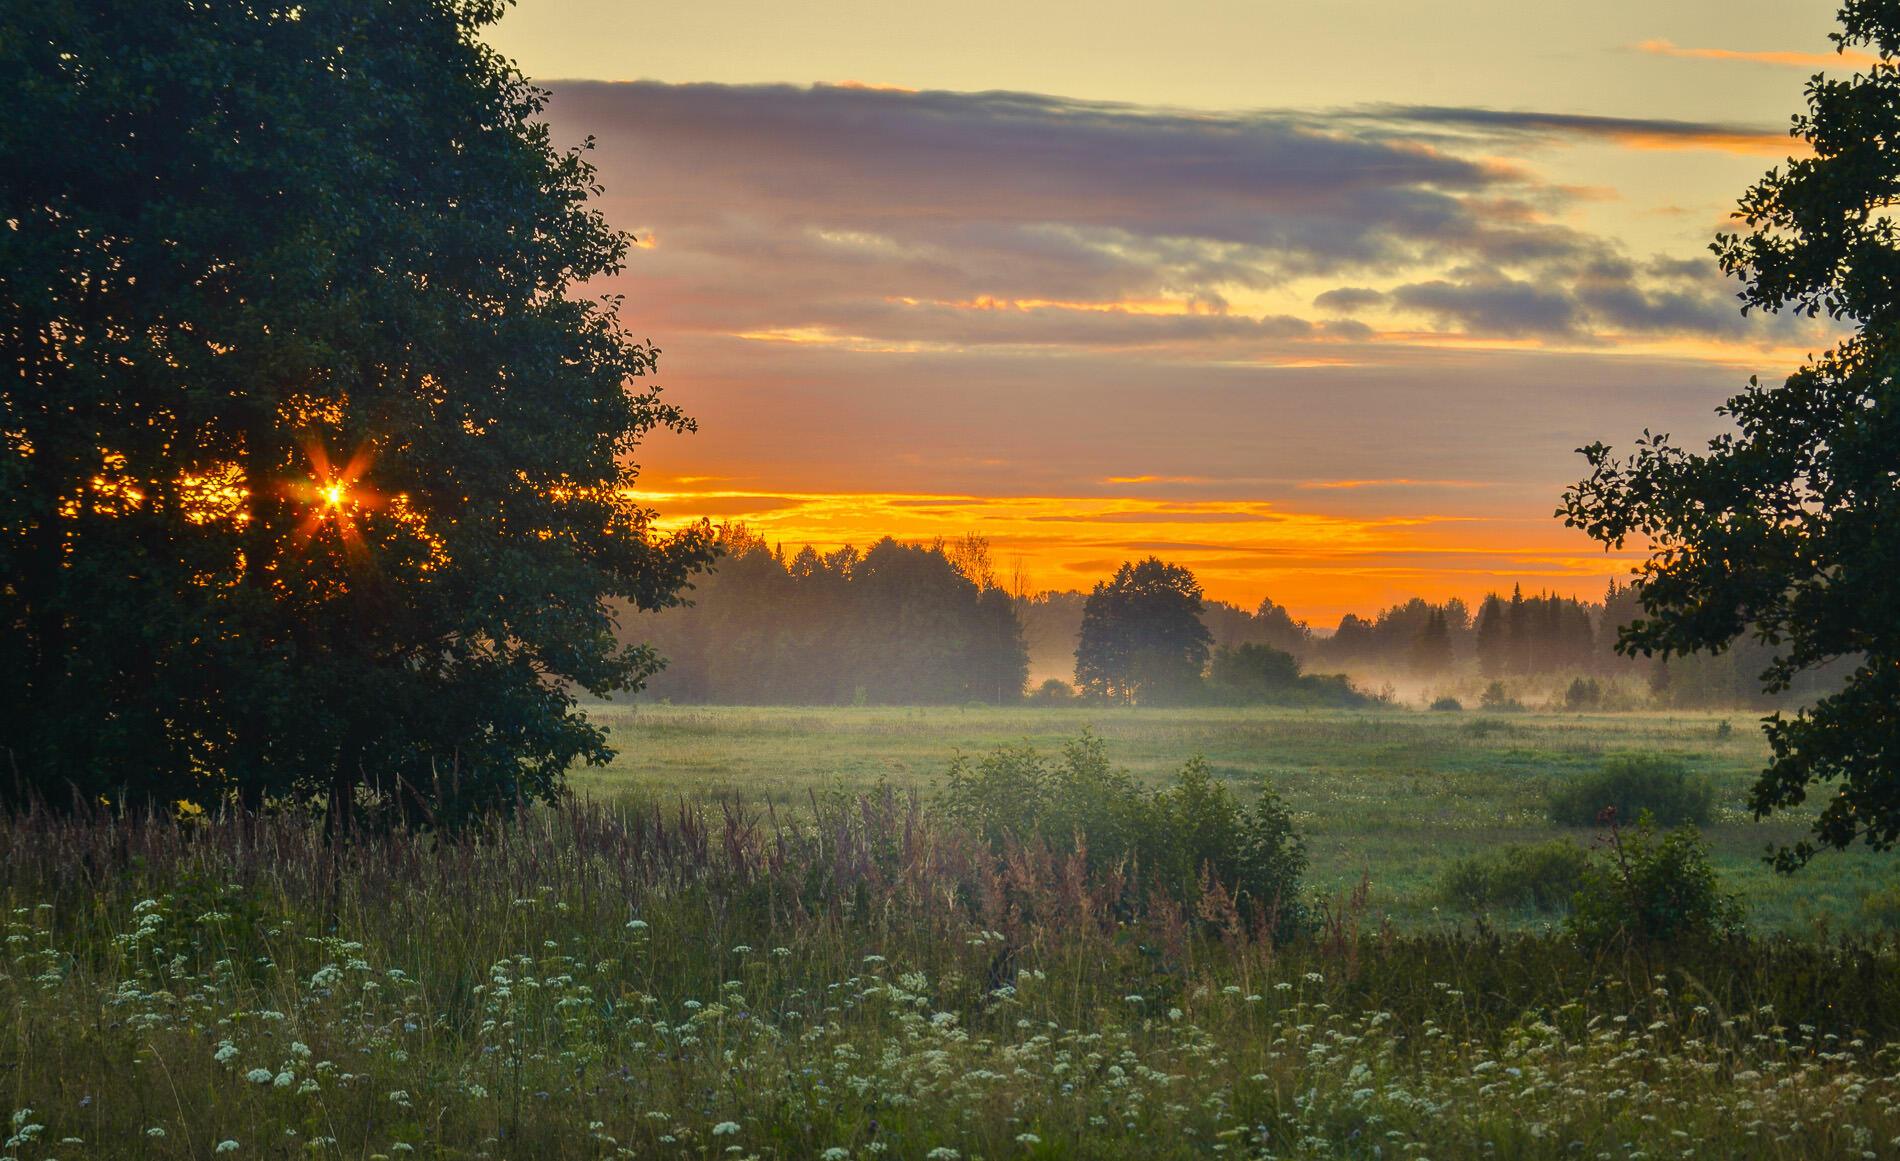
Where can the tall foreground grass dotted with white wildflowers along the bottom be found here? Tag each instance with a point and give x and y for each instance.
(858, 981)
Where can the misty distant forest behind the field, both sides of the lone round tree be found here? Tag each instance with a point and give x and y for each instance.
(930, 624)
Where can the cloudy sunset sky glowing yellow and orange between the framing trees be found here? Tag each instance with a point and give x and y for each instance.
(1318, 299)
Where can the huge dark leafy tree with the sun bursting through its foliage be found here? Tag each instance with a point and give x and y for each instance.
(313, 468)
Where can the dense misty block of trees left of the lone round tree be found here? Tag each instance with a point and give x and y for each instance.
(898, 624)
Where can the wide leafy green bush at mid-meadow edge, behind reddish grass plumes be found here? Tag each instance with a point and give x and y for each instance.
(1181, 841)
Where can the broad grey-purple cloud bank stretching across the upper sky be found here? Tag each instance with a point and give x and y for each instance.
(1023, 221)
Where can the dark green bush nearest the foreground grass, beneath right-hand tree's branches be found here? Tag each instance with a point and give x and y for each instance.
(1644, 888)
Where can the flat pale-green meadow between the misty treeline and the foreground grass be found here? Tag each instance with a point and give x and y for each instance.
(1388, 795)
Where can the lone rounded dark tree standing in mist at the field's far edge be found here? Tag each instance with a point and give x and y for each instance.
(1143, 636)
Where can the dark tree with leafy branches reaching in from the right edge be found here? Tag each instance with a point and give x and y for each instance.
(1789, 527)
